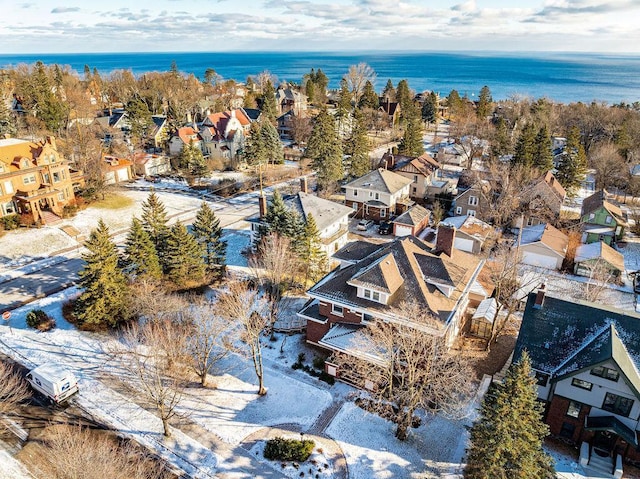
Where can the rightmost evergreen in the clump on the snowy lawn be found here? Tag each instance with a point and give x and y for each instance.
(207, 231)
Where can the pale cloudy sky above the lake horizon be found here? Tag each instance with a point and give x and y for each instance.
(70, 26)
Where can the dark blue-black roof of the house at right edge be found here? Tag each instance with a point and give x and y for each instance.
(566, 336)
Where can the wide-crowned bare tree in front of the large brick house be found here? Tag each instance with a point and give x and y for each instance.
(409, 369)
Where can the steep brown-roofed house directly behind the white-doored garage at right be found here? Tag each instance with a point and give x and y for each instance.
(541, 201)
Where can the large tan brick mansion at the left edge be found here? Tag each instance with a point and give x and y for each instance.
(36, 179)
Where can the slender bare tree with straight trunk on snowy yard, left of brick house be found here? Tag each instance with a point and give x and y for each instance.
(249, 312)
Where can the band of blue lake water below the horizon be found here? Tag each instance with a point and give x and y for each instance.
(563, 77)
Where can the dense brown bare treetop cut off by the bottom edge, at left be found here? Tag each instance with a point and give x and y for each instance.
(75, 452)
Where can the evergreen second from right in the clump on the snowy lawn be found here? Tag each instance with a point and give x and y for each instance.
(184, 257)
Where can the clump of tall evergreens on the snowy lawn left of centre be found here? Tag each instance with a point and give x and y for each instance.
(153, 251)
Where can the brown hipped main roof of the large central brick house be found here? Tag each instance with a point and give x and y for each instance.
(415, 262)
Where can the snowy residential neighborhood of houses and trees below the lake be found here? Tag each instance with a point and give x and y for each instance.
(223, 307)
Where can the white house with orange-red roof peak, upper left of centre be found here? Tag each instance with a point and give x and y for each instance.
(223, 134)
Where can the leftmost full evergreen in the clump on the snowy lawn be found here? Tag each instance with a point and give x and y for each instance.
(104, 298)
